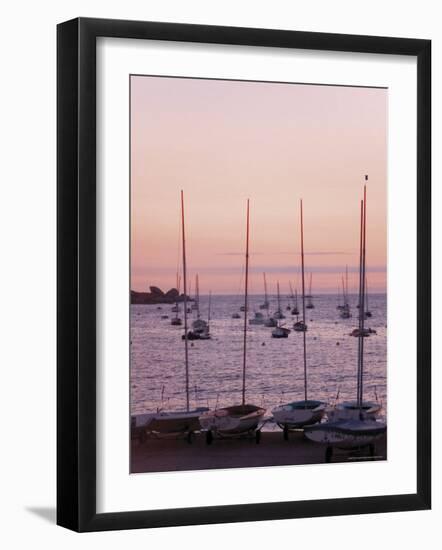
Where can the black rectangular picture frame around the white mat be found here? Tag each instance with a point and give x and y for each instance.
(76, 273)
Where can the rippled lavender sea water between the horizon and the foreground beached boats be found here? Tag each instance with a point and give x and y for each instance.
(274, 366)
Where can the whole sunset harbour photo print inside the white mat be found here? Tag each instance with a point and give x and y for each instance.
(258, 299)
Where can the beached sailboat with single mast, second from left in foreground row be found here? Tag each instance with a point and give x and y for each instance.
(237, 419)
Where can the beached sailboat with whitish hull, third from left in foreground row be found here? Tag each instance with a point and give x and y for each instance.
(297, 414)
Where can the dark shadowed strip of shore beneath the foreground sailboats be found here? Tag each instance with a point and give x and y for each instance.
(163, 455)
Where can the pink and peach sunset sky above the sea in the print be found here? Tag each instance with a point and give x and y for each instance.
(223, 142)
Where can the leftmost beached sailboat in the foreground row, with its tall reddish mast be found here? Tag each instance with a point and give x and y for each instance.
(186, 421)
